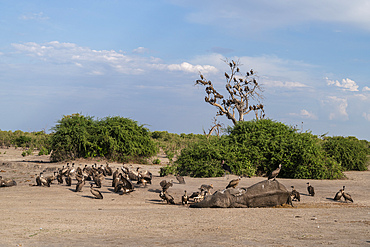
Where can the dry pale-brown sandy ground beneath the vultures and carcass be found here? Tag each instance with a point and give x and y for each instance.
(58, 216)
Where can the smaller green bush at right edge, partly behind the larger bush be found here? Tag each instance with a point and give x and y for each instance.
(350, 152)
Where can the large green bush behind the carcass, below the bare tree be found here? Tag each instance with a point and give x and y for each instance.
(257, 148)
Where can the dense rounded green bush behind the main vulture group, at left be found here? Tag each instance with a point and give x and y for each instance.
(115, 138)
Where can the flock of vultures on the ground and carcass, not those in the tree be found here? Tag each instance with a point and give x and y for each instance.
(123, 177)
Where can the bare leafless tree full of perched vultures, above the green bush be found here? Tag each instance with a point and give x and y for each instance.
(241, 88)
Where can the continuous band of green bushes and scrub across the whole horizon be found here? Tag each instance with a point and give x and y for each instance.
(250, 148)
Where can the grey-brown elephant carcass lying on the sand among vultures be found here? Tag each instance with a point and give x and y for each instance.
(263, 194)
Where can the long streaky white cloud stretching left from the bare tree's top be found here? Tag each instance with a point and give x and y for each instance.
(100, 62)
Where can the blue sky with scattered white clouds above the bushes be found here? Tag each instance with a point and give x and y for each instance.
(140, 59)
